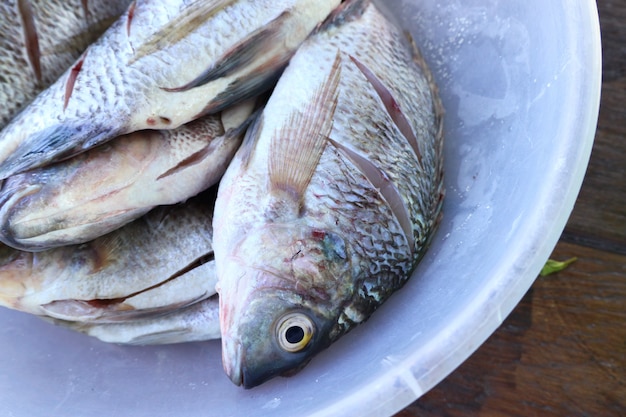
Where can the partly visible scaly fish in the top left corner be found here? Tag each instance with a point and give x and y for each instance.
(41, 39)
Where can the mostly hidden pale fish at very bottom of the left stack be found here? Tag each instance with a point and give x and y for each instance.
(195, 323)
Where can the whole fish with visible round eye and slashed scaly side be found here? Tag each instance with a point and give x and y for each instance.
(333, 197)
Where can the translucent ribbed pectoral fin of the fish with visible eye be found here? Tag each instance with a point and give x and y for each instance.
(296, 149)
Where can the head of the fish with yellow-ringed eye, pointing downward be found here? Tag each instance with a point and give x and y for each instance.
(282, 291)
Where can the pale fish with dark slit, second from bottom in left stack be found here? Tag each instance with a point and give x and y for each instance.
(158, 264)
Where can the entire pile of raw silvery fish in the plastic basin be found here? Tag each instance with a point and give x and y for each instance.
(319, 120)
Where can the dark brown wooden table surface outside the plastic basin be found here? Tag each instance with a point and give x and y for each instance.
(562, 351)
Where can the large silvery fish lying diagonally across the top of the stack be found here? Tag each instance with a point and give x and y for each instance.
(160, 65)
